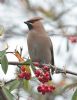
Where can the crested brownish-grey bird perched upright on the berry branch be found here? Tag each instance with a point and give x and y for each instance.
(40, 46)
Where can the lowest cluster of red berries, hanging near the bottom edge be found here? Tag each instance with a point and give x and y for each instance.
(44, 88)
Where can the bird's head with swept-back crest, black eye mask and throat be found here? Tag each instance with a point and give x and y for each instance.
(34, 22)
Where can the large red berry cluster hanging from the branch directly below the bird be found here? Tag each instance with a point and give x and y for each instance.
(43, 75)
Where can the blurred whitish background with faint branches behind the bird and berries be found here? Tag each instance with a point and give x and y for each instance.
(59, 20)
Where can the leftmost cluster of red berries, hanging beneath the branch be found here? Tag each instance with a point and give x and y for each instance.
(24, 74)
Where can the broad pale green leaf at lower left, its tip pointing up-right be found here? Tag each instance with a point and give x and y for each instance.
(13, 85)
